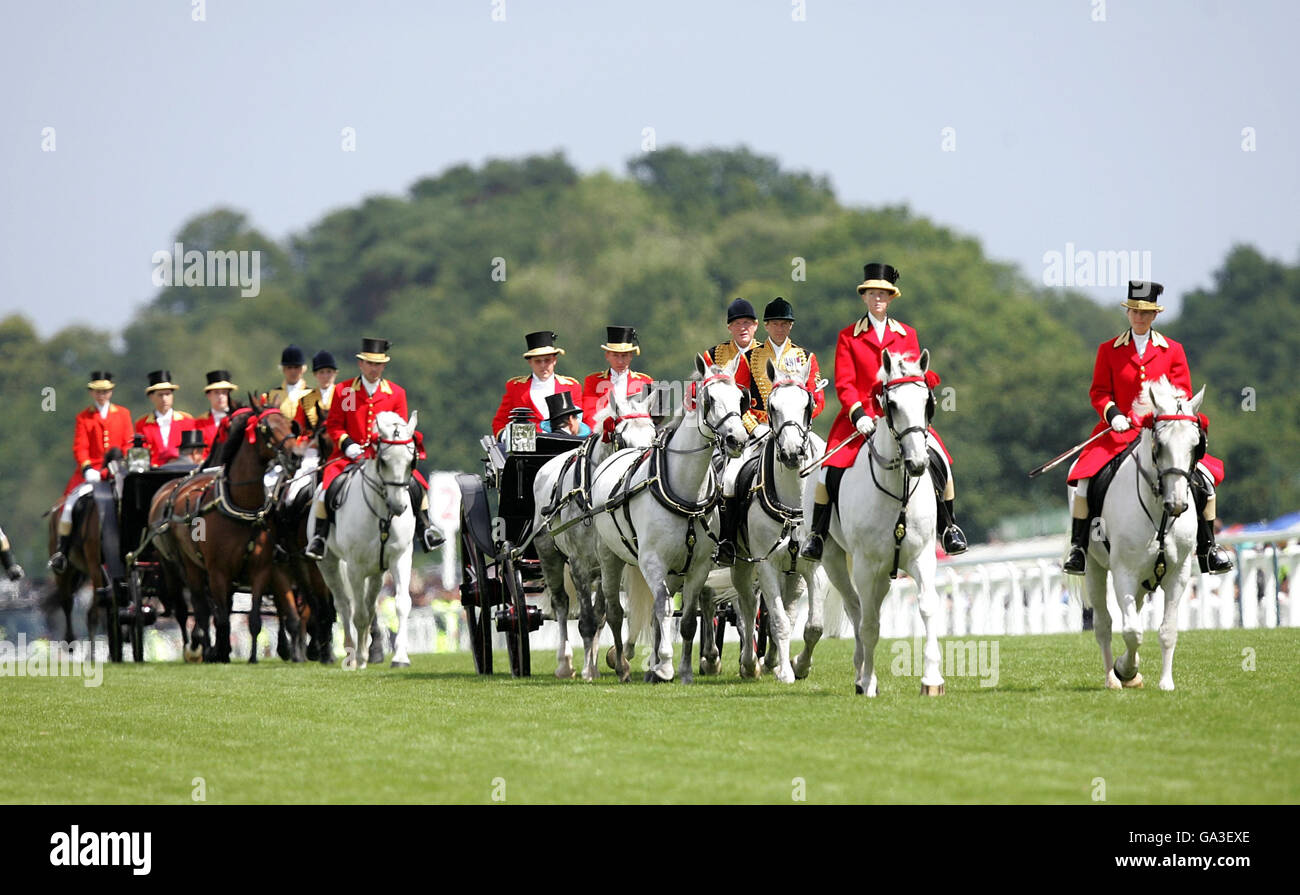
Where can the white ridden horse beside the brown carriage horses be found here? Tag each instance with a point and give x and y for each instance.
(374, 531)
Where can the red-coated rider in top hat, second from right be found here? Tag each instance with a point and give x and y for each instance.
(857, 365)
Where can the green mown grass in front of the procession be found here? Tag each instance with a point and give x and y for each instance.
(436, 733)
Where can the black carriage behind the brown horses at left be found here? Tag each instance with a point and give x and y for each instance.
(132, 564)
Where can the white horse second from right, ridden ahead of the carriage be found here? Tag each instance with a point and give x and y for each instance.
(891, 475)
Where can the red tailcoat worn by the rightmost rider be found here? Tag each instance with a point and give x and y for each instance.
(1117, 381)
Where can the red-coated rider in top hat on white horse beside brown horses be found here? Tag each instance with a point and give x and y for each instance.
(352, 427)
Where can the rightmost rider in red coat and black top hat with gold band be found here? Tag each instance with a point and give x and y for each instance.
(1126, 364)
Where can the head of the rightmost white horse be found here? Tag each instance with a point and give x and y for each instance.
(1177, 439)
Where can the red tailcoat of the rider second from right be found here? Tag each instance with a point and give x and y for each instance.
(857, 365)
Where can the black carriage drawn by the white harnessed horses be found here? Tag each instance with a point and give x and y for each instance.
(496, 516)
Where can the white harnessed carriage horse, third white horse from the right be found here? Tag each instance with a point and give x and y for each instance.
(775, 528)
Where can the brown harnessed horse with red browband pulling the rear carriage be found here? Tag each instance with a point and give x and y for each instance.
(219, 530)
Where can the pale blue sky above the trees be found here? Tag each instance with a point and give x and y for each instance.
(1124, 135)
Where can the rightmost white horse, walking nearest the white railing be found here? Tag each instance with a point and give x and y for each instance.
(1149, 498)
